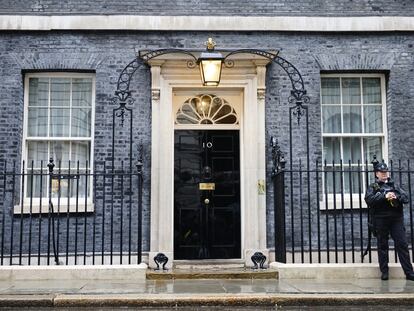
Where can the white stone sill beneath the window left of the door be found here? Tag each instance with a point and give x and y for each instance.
(36, 208)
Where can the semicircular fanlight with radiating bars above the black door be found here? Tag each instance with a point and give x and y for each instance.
(206, 109)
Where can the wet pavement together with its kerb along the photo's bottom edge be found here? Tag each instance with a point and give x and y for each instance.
(186, 295)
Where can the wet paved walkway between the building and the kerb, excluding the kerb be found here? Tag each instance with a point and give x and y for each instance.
(171, 287)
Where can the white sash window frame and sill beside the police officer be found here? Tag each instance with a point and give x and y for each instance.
(335, 200)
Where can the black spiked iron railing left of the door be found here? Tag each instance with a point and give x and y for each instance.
(70, 214)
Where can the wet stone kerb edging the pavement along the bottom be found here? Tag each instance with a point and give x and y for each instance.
(163, 300)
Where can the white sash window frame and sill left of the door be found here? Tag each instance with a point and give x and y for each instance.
(41, 205)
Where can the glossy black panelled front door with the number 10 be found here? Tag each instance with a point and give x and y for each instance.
(206, 194)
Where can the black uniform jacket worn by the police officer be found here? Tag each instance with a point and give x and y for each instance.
(375, 199)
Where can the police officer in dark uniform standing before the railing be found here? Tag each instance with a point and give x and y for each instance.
(386, 201)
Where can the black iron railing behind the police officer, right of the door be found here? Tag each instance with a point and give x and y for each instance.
(321, 215)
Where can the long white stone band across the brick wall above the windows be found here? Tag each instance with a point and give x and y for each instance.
(206, 23)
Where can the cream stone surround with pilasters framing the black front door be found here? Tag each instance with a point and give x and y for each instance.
(171, 76)
